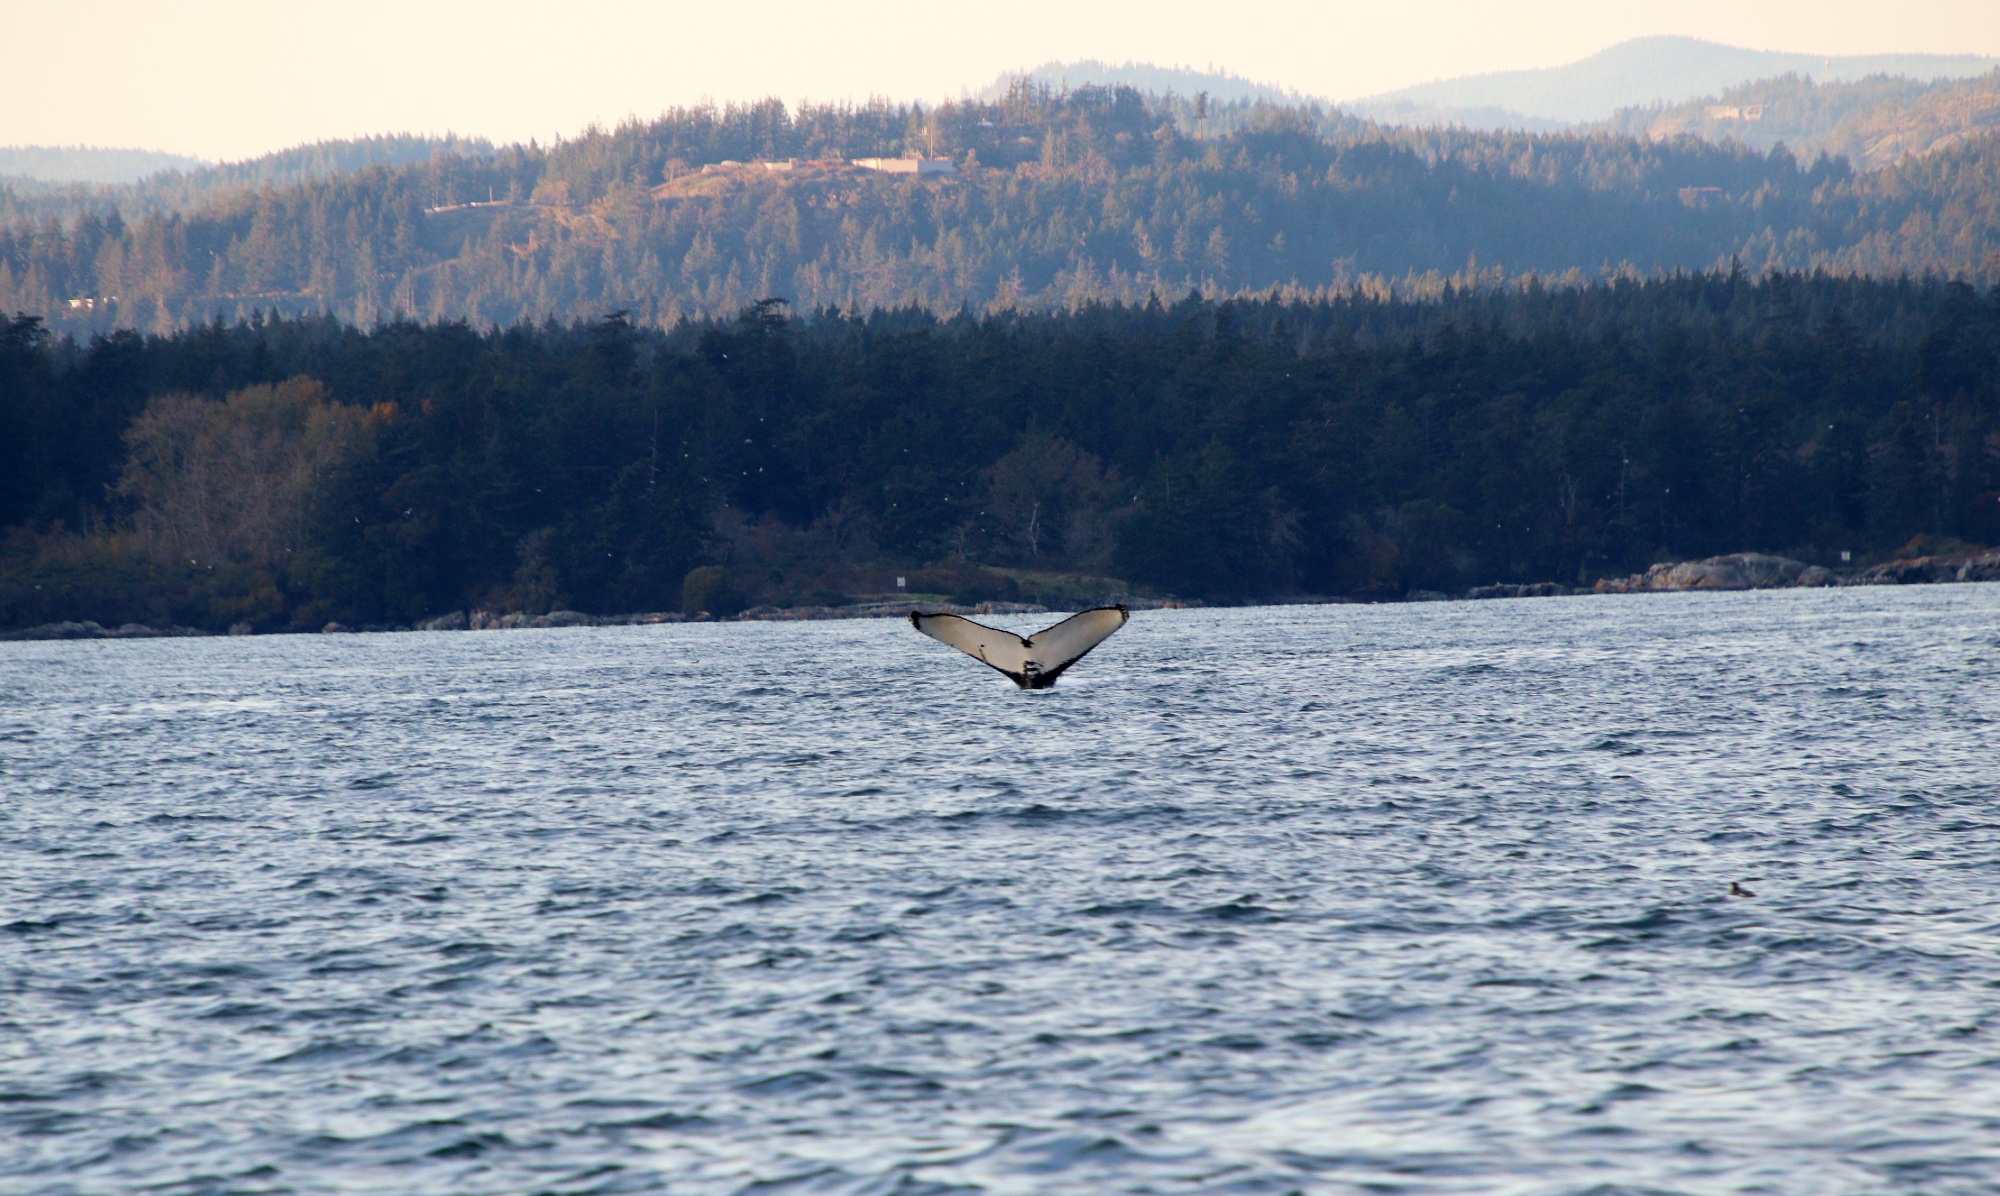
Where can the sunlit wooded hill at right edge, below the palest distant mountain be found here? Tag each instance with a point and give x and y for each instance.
(1871, 123)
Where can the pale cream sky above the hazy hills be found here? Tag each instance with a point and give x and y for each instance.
(241, 79)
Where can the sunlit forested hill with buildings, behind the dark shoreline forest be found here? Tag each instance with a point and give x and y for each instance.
(1099, 195)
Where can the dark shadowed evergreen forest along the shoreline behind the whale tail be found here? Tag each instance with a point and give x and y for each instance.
(295, 471)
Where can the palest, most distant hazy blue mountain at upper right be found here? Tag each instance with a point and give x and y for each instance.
(1643, 71)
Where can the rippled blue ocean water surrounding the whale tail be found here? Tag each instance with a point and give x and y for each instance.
(1355, 899)
